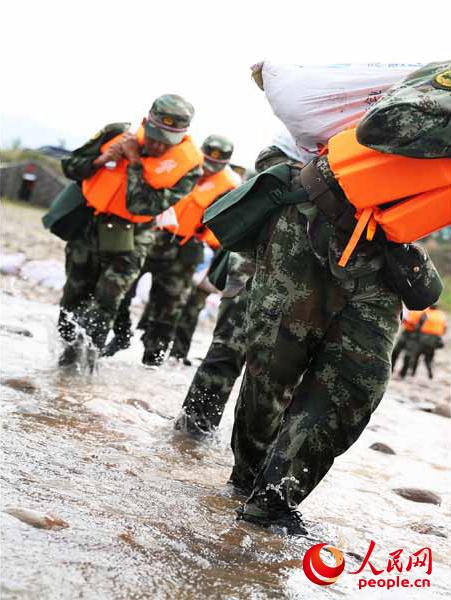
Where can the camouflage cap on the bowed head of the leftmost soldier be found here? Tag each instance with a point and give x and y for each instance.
(169, 119)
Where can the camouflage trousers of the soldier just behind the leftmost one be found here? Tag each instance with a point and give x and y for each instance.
(172, 267)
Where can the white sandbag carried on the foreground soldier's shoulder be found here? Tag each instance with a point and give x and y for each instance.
(316, 102)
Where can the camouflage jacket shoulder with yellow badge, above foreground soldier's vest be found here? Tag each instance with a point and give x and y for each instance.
(414, 118)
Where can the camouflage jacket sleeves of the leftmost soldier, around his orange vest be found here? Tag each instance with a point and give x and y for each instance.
(141, 199)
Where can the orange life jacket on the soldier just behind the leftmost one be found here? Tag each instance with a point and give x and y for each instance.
(190, 209)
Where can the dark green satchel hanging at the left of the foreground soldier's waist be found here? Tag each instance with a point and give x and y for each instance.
(240, 218)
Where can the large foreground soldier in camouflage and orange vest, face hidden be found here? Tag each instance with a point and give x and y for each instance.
(324, 311)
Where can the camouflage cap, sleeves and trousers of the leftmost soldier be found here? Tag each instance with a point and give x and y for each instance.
(98, 281)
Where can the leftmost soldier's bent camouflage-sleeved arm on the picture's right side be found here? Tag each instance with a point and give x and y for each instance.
(144, 200)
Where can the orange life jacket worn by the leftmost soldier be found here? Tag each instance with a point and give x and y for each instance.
(106, 190)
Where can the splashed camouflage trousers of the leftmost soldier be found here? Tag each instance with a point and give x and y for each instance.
(96, 284)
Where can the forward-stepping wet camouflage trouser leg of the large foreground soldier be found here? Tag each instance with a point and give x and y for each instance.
(331, 407)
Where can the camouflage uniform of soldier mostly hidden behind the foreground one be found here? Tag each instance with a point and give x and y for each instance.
(214, 379)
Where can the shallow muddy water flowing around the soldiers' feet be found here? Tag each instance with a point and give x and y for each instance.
(148, 510)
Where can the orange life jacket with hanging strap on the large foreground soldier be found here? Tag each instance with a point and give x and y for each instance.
(420, 189)
